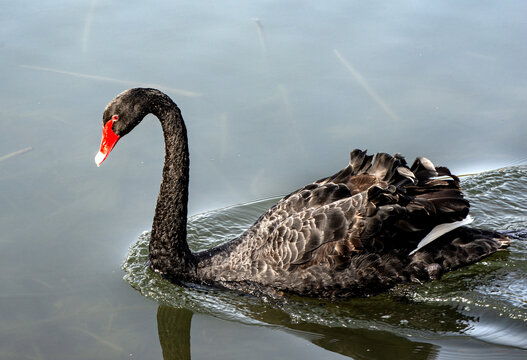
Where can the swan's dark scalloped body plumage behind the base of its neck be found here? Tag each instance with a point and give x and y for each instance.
(351, 233)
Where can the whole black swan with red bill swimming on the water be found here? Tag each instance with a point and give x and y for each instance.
(375, 224)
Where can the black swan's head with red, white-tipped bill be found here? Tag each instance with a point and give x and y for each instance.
(121, 116)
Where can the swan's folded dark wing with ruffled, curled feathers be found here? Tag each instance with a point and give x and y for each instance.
(366, 207)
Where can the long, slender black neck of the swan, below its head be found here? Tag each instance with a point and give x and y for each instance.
(169, 251)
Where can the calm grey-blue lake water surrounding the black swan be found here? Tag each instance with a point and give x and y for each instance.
(275, 95)
